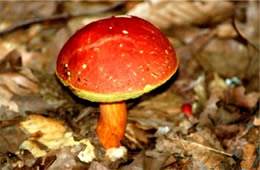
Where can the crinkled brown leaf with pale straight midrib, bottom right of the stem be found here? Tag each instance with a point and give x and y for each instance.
(202, 148)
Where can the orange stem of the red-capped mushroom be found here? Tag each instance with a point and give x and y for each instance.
(111, 124)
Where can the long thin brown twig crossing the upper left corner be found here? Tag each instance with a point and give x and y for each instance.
(63, 16)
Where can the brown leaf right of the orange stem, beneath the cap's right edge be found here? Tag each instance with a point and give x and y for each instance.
(159, 111)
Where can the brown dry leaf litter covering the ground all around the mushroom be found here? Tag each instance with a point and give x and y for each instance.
(44, 126)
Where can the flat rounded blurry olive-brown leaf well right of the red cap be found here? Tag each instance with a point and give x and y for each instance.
(228, 61)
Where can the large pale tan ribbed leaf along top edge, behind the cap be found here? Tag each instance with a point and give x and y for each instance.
(166, 13)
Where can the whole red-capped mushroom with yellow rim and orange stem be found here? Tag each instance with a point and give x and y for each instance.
(112, 60)
